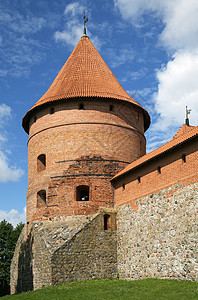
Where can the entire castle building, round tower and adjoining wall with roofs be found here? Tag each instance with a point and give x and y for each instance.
(98, 206)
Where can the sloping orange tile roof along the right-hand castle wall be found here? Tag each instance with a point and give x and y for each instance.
(183, 134)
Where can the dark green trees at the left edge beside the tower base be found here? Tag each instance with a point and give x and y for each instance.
(8, 238)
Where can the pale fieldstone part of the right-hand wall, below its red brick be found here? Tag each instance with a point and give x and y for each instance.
(160, 238)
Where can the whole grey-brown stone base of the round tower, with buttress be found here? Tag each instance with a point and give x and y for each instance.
(65, 249)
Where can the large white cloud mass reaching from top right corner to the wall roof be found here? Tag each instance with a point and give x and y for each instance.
(177, 79)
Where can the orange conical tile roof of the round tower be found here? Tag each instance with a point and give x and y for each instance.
(85, 74)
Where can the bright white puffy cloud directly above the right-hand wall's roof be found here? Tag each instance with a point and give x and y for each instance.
(177, 88)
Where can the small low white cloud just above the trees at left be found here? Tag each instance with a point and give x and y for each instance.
(13, 216)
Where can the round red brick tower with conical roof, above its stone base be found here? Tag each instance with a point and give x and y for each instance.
(82, 131)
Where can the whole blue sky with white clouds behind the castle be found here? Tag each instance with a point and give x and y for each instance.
(151, 46)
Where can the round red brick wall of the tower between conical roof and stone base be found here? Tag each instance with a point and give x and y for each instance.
(81, 147)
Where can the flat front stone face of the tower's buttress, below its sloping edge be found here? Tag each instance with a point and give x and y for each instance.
(90, 254)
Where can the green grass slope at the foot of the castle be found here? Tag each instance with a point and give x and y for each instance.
(115, 289)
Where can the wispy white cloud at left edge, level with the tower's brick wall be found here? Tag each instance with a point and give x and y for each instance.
(7, 172)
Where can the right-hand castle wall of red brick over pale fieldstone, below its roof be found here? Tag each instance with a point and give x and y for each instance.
(157, 217)
